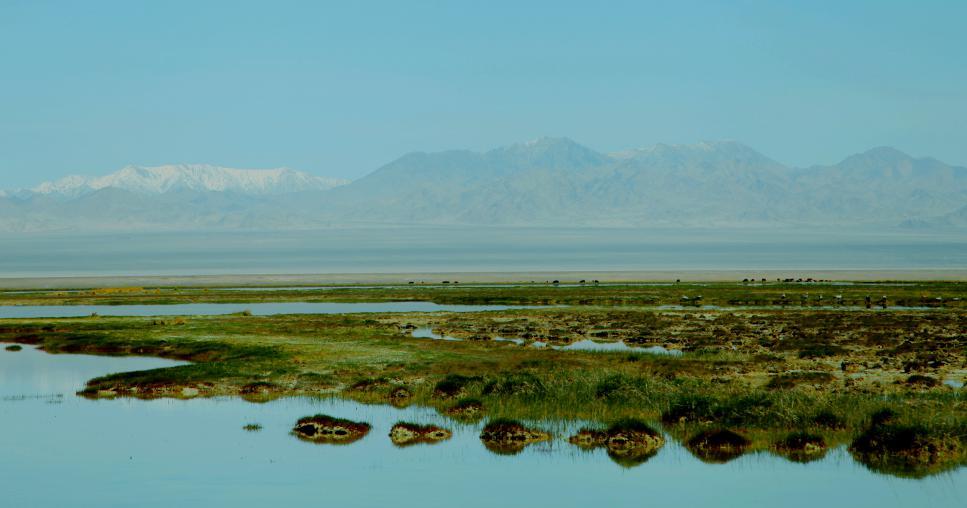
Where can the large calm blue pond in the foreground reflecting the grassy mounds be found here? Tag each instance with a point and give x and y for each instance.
(62, 450)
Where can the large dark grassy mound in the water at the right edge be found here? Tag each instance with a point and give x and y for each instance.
(907, 450)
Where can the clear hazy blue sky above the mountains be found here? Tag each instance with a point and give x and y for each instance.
(341, 88)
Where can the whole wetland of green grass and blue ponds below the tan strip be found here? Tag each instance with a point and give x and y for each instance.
(764, 386)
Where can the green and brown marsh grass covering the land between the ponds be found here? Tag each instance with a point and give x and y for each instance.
(795, 379)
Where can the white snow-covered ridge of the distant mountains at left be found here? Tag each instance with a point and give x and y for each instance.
(192, 177)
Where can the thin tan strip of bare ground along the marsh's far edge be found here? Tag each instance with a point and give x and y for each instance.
(255, 280)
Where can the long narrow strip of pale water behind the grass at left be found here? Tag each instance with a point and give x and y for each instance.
(258, 309)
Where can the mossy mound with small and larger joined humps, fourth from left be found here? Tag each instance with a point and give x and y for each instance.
(629, 442)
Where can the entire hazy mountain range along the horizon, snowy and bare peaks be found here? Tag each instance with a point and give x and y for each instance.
(547, 182)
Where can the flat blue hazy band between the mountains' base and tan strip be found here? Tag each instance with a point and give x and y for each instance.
(455, 249)
